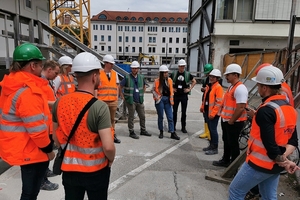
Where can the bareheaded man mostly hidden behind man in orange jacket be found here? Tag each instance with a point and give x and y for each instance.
(49, 73)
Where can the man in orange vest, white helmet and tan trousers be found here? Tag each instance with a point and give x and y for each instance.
(108, 90)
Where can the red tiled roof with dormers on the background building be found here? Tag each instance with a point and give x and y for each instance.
(153, 16)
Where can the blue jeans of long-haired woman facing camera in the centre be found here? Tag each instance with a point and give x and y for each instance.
(165, 105)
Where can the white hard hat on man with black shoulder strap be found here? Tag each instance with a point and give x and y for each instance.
(85, 62)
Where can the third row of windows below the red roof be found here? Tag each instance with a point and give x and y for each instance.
(133, 50)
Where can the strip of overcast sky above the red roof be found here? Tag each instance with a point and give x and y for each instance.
(139, 5)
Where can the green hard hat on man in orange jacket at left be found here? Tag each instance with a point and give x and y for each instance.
(27, 52)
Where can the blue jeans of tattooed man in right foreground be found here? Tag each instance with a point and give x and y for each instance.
(247, 178)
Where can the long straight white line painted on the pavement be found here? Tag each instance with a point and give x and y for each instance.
(139, 169)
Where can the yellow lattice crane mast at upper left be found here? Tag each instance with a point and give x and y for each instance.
(73, 17)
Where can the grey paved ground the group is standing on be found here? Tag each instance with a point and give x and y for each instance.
(152, 168)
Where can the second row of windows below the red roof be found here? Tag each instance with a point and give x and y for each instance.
(133, 39)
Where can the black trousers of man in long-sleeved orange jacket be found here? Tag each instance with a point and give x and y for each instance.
(32, 176)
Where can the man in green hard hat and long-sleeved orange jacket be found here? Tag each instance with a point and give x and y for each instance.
(24, 134)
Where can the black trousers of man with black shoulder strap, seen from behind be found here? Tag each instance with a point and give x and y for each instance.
(95, 184)
